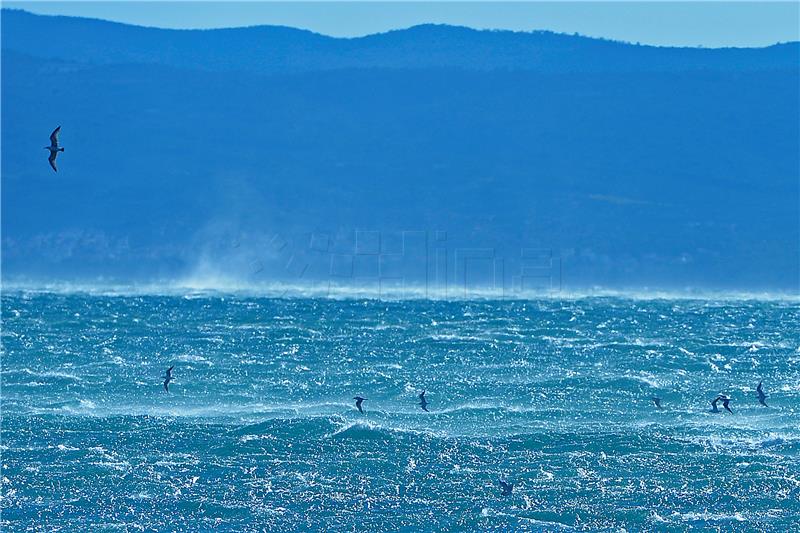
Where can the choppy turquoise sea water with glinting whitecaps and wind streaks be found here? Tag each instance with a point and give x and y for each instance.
(259, 431)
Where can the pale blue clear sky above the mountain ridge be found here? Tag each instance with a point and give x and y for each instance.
(664, 23)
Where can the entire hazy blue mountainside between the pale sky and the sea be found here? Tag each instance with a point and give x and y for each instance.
(638, 166)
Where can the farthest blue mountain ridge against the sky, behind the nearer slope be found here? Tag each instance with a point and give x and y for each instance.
(282, 49)
